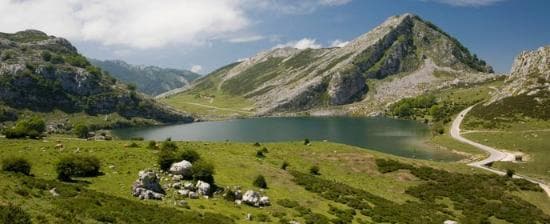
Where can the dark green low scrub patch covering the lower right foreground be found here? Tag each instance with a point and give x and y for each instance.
(467, 192)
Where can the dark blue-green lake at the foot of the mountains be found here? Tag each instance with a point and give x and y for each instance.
(398, 137)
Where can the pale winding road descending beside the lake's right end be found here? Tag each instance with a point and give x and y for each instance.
(494, 154)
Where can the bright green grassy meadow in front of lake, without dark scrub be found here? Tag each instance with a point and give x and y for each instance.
(235, 164)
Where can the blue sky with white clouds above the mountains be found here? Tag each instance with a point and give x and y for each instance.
(203, 35)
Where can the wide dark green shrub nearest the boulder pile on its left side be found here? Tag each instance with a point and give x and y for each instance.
(77, 166)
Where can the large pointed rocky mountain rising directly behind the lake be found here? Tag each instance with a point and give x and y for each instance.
(404, 56)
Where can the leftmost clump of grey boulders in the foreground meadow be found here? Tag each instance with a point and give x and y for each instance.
(147, 186)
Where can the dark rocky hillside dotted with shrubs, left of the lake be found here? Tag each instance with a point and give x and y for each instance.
(42, 74)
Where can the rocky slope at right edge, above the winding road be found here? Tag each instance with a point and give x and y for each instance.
(525, 94)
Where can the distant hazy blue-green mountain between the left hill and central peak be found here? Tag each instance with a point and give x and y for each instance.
(151, 80)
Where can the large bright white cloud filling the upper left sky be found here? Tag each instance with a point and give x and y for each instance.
(133, 23)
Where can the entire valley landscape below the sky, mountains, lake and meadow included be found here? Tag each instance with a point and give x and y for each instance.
(403, 124)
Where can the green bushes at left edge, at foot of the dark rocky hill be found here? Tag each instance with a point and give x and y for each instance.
(32, 127)
